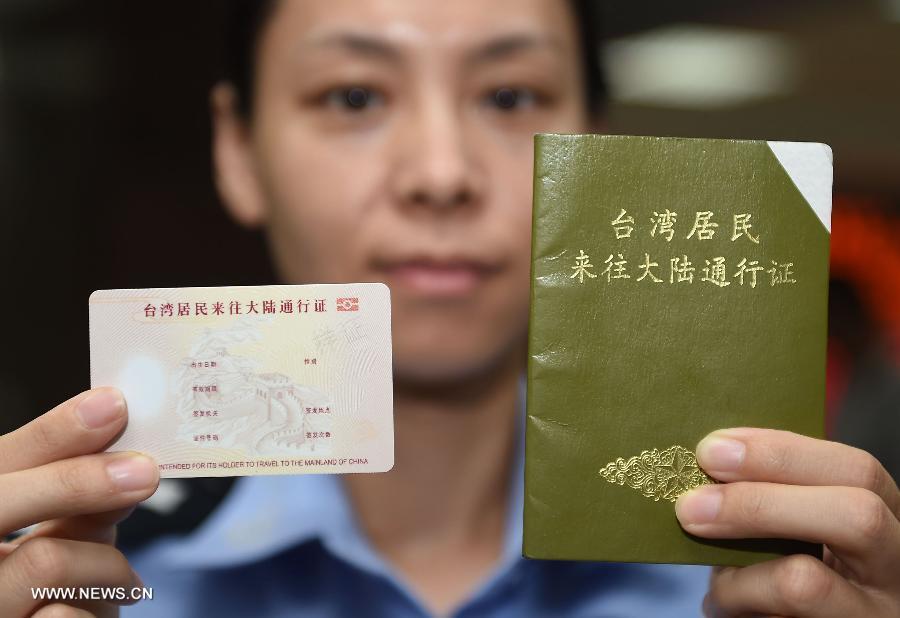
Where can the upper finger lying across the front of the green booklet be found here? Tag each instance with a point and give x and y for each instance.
(746, 454)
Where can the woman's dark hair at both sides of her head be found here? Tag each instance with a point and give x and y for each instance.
(247, 18)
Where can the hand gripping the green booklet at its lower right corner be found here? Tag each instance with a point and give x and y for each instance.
(782, 485)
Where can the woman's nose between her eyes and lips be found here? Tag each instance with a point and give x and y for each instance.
(436, 168)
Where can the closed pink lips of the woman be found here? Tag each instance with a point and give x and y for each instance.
(437, 277)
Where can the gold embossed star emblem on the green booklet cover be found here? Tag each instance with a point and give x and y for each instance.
(658, 474)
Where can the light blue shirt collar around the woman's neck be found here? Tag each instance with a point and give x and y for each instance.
(266, 515)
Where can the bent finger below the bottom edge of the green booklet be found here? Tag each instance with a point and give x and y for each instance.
(796, 586)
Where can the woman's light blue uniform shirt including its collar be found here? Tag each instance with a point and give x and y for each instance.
(282, 546)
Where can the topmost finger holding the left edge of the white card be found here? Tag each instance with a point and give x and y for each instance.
(84, 424)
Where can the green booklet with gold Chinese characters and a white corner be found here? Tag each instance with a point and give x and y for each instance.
(678, 286)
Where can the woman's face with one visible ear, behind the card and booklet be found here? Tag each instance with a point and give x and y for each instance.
(391, 140)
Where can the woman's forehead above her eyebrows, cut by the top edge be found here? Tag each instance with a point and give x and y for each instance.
(442, 26)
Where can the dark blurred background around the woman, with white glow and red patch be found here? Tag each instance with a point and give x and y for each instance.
(105, 176)
